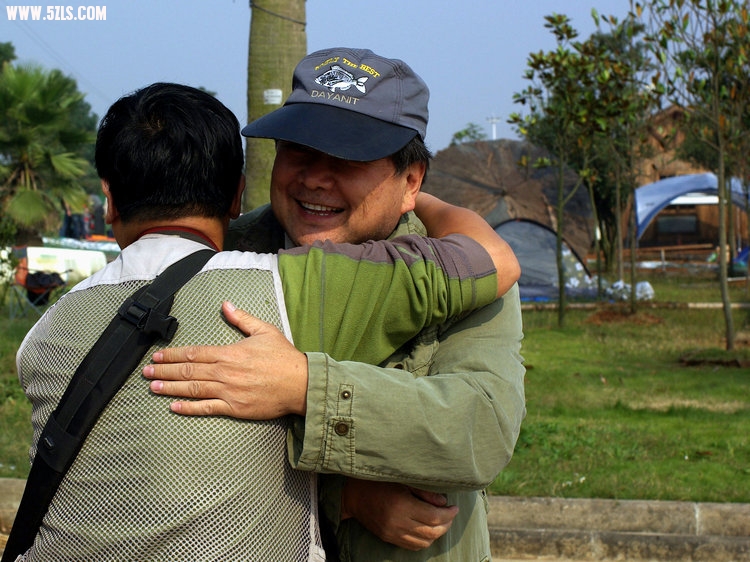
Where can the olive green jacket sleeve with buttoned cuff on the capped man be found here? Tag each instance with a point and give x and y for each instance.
(445, 432)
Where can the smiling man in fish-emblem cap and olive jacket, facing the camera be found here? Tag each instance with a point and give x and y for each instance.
(404, 450)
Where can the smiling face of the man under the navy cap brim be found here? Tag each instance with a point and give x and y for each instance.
(319, 197)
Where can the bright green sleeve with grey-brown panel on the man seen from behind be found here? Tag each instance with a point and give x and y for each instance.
(362, 302)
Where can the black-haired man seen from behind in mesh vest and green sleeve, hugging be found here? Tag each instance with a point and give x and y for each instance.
(150, 485)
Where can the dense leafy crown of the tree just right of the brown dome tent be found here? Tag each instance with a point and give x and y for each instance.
(588, 104)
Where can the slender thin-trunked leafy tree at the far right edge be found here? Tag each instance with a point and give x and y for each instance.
(702, 46)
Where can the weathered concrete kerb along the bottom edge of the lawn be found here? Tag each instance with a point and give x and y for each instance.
(562, 530)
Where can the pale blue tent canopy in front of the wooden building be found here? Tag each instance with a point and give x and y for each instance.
(652, 198)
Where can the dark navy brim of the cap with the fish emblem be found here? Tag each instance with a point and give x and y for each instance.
(338, 132)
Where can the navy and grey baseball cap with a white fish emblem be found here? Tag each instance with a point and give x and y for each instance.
(351, 104)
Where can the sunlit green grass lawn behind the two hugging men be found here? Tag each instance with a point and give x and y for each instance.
(615, 410)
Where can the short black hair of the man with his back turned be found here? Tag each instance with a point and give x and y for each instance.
(170, 151)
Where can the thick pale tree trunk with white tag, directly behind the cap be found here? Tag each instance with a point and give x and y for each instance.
(278, 41)
